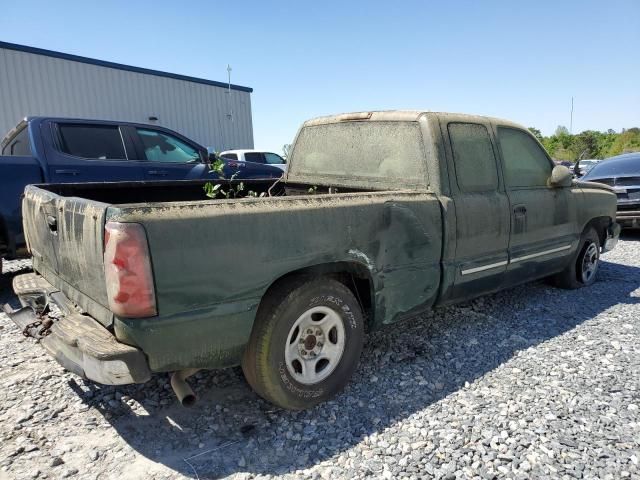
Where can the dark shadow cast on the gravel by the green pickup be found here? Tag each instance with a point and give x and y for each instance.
(402, 371)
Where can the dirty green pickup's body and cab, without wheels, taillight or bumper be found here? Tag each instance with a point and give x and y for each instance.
(422, 224)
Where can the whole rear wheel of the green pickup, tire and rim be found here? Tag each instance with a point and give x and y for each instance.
(274, 333)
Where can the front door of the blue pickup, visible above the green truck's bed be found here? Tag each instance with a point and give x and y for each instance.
(169, 157)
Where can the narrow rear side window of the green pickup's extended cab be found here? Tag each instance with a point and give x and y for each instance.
(473, 156)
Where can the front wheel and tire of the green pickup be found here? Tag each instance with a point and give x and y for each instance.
(576, 275)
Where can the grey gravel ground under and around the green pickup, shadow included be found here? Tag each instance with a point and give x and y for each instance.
(532, 382)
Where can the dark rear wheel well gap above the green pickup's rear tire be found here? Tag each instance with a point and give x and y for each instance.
(355, 276)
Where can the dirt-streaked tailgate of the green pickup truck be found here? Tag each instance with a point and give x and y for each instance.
(65, 236)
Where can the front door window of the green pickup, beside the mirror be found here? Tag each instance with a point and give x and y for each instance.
(525, 162)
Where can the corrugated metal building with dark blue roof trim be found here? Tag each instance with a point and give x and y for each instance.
(34, 81)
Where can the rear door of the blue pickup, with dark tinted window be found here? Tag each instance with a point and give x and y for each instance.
(89, 152)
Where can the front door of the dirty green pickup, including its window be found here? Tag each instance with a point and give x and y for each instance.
(544, 230)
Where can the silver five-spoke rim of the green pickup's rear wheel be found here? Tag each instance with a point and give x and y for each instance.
(315, 345)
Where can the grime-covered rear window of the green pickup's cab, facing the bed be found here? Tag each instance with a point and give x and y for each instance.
(360, 152)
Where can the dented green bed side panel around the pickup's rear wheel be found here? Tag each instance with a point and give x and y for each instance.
(214, 261)
